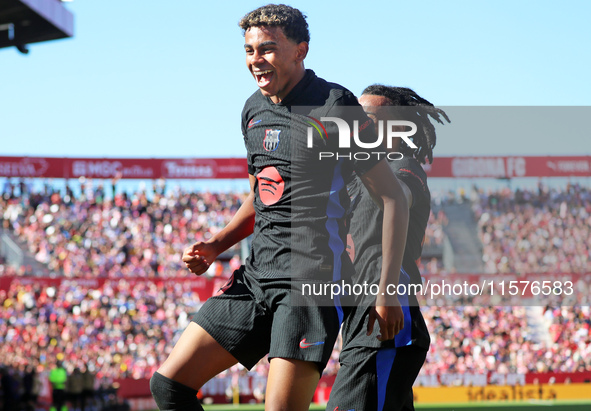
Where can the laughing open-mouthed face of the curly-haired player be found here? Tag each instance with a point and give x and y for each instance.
(275, 61)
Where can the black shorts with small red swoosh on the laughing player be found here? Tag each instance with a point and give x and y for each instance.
(251, 318)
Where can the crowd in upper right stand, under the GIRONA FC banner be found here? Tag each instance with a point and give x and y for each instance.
(543, 230)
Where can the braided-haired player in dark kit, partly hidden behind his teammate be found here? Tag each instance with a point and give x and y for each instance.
(377, 375)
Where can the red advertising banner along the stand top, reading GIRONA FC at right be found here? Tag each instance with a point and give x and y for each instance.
(200, 168)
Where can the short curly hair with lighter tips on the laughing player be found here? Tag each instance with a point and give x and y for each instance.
(290, 19)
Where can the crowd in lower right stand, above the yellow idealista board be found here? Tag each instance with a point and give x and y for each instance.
(480, 339)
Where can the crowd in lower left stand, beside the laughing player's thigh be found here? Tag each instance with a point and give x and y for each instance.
(122, 329)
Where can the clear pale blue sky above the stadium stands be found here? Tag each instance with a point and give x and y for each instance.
(168, 79)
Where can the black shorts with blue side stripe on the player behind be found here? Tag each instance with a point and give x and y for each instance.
(377, 379)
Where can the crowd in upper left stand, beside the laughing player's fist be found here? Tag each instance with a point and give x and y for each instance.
(94, 235)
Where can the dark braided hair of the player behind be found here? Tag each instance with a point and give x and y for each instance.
(425, 137)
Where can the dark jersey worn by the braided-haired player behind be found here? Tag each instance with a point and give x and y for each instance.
(365, 244)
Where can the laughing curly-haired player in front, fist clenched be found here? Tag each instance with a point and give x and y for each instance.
(296, 211)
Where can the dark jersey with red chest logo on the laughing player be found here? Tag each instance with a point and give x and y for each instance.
(301, 200)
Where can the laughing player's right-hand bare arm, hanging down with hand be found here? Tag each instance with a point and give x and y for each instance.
(386, 190)
